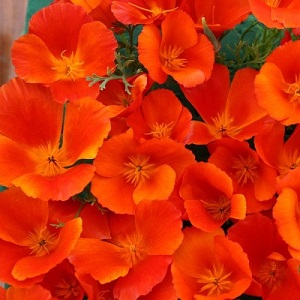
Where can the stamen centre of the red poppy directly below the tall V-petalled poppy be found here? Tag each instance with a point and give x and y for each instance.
(245, 169)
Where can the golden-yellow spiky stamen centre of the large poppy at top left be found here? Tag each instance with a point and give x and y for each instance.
(68, 68)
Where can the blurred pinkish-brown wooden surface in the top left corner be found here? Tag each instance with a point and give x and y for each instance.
(12, 24)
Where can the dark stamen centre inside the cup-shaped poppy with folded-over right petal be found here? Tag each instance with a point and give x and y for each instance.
(219, 209)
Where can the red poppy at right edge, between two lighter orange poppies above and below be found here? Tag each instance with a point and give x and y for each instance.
(284, 155)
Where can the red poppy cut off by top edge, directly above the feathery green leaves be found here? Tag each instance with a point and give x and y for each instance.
(219, 15)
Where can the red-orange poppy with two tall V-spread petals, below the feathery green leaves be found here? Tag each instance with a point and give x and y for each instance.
(220, 106)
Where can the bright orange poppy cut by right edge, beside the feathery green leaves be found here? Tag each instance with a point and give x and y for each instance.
(277, 84)
